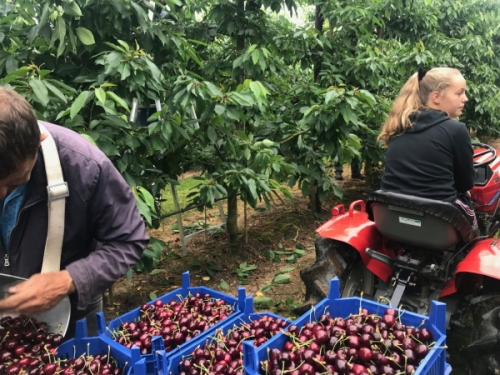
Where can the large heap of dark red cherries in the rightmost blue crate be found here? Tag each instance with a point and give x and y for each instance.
(362, 344)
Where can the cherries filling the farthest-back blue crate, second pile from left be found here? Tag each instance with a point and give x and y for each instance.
(175, 321)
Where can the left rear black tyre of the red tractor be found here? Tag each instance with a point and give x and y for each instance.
(334, 259)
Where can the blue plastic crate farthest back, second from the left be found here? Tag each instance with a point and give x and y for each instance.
(105, 332)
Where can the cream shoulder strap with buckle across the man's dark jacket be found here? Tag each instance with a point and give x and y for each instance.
(57, 191)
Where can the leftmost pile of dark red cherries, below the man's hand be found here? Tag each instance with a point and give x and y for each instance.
(27, 347)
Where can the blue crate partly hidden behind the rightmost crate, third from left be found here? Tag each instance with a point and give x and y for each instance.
(170, 364)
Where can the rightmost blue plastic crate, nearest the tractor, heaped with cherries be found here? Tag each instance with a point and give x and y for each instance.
(433, 364)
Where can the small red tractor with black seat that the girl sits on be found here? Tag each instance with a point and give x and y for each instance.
(410, 251)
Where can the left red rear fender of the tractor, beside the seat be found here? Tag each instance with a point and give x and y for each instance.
(354, 228)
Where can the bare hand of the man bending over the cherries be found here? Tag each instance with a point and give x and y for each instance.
(39, 293)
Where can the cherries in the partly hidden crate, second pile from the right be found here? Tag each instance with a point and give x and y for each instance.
(223, 354)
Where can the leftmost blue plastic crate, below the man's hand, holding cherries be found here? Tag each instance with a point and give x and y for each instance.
(128, 360)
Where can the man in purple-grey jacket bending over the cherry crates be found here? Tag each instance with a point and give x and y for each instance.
(104, 234)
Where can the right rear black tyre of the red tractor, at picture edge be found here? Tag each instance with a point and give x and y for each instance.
(483, 353)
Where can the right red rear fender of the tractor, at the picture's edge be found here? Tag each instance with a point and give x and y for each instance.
(483, 259)
